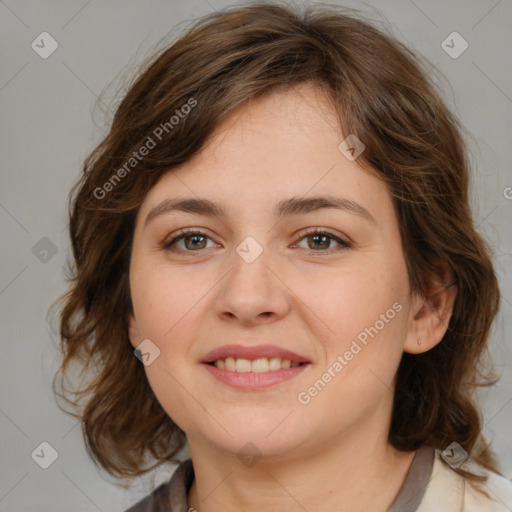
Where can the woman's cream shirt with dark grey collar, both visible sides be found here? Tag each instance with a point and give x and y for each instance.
(430, 486)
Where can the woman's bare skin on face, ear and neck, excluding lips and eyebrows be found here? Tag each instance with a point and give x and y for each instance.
(332, 453)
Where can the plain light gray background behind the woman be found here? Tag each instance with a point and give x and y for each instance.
(49, 123)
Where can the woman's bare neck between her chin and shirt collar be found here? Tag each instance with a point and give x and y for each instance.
(355, 471)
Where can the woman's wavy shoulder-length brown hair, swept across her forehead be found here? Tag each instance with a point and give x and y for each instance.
(381, 92)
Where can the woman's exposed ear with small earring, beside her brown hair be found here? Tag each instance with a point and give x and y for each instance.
(431, 315)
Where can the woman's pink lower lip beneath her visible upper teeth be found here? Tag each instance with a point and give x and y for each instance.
(254, 381)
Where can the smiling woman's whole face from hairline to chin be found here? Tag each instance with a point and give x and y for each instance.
(338, 299)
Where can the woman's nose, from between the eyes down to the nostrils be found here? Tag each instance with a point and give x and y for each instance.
(253, 292)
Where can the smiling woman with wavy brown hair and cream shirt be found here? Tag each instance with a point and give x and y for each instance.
(277, 226)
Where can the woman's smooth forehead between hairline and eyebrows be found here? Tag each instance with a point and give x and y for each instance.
(284, 144)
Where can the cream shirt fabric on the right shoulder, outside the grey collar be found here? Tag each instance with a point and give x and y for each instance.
(449, 491)
